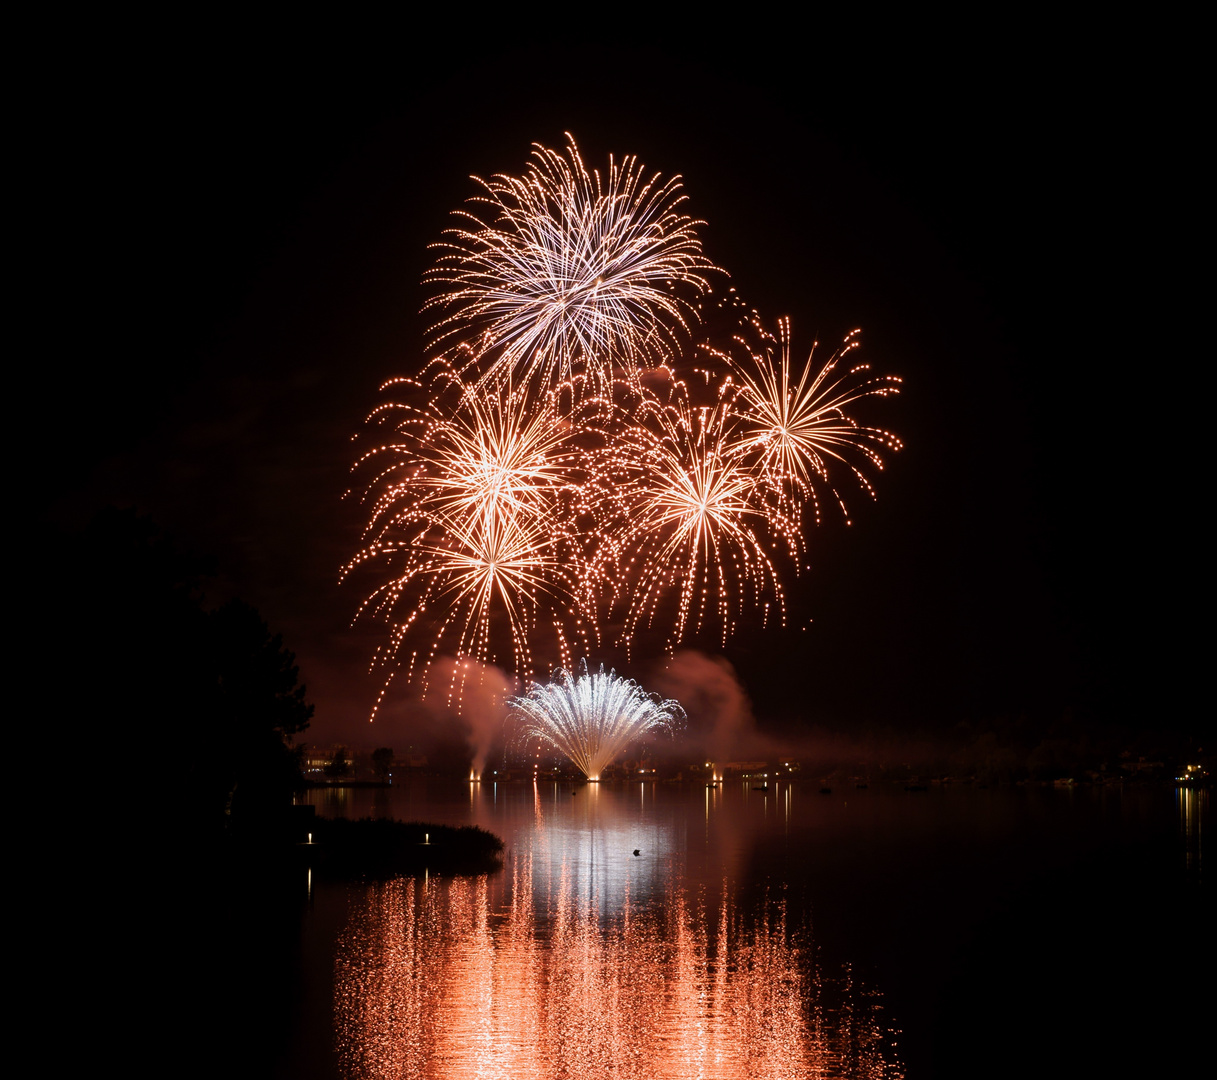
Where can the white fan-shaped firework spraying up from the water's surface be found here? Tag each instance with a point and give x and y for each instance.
(592, 718)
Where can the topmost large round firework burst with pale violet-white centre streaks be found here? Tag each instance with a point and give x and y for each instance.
(573, 273)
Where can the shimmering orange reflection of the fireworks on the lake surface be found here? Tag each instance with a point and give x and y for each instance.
(559, 969)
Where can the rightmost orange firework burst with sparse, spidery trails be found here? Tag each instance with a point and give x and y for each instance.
(797, 430)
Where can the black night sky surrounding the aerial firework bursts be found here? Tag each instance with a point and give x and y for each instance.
(249, 225)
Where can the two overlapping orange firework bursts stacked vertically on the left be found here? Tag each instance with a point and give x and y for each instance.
(473, 503)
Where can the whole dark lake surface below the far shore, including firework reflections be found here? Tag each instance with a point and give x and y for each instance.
(957, 932)
